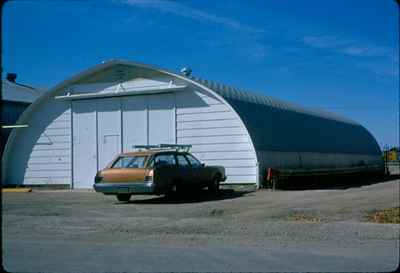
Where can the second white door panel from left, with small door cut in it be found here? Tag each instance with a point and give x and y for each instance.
(108, 130)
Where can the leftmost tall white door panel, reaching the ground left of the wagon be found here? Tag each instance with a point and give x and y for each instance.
(84, 143)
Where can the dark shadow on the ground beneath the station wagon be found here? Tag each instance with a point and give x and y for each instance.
(189, 197)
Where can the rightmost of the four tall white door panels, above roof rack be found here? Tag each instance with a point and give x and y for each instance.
(161, 119)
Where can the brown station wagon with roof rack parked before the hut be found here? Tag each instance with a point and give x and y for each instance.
(160, 169)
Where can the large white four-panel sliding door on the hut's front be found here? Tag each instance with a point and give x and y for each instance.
(103, 128)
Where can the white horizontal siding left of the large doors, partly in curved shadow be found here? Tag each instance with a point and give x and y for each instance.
(41, 152)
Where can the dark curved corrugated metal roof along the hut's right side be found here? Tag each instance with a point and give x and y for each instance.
(275, 125)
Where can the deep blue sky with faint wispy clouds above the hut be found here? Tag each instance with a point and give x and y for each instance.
(339, 55)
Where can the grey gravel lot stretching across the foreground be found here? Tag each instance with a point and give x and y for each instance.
(297, 230)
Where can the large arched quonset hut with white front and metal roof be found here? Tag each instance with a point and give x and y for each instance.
(78, 126)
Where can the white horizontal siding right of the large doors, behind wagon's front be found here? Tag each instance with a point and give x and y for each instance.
(216, 134)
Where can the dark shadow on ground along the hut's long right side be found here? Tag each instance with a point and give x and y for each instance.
(338, 183)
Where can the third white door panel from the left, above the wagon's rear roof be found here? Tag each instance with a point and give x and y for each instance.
(134, 120)
